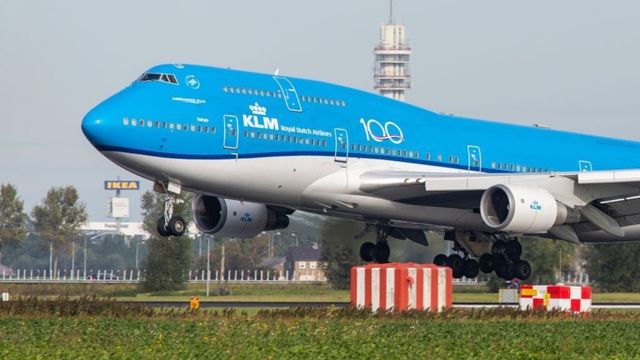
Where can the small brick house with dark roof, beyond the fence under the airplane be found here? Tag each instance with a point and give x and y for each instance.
(303, 263)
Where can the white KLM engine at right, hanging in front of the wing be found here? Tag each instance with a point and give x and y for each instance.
(521, 209)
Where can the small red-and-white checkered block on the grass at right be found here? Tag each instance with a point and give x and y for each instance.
(556, 297)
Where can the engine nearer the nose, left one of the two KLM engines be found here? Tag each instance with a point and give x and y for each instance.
(232, 218)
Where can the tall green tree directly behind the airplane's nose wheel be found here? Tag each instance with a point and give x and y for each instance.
(169, 258)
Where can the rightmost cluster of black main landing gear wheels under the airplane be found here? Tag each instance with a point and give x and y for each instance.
(505, 260)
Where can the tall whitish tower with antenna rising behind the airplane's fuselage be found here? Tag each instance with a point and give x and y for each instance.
(391, 71)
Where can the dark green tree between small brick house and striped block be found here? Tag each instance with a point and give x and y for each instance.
(339, 252)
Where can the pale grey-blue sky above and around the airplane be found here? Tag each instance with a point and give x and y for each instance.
(571, 64)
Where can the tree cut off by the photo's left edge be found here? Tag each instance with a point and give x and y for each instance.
(13, 220)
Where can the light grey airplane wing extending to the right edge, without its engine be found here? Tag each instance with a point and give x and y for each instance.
(609, 201)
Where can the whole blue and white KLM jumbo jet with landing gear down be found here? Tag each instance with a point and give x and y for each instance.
(255, 147)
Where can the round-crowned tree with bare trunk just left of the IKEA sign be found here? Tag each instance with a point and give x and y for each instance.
(58, 219)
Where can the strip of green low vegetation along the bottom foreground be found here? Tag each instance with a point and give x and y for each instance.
(92, 328)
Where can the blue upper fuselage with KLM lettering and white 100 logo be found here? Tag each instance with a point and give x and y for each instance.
(213, 113)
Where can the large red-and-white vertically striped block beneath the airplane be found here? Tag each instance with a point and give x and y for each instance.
(401, 286)
